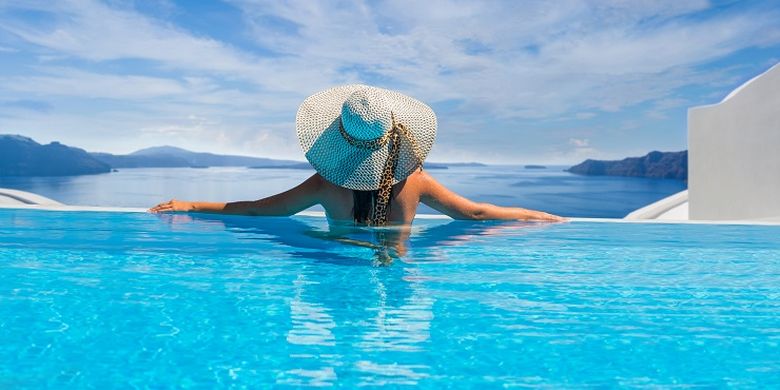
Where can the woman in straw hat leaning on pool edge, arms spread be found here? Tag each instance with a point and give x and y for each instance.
(367, 145)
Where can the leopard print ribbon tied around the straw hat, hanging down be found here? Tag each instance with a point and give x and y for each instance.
(379, 217)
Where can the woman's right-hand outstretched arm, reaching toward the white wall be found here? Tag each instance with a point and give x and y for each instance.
(437, 196)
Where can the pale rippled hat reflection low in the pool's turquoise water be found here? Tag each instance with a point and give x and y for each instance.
(369, 315)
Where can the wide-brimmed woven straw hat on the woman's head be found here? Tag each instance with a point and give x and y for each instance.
(356, 135)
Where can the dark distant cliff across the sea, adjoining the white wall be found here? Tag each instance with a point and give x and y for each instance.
(661, 165)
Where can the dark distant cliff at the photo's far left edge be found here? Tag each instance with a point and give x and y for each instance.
(21, 156)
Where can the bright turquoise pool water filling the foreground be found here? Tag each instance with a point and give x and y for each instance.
(100, 300)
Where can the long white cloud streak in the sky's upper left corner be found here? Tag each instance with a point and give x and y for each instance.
(95, 31)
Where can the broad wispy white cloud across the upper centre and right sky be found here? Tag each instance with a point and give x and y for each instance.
(584, 58)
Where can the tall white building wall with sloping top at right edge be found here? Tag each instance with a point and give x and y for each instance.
(734, 153)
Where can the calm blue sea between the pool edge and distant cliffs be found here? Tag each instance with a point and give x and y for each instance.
(550, 189)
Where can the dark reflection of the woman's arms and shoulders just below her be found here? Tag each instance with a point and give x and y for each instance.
(315, 238)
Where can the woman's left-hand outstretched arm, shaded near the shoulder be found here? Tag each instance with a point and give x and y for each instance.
(297, 199)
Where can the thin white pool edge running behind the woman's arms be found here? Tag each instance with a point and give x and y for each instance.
(419, 216)
